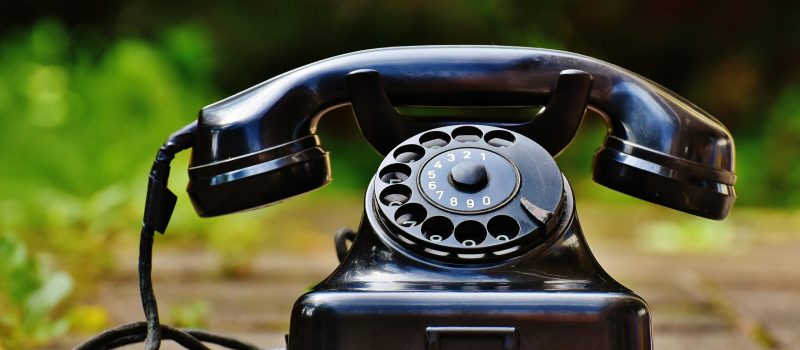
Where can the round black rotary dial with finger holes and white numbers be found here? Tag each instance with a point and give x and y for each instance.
(421, 207)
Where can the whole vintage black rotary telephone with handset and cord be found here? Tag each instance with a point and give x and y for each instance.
(470, 238)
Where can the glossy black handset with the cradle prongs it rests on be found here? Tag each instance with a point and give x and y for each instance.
(656, 139)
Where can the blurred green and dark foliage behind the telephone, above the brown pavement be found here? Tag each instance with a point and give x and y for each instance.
(88, 93)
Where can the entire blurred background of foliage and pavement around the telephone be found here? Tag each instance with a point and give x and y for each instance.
(89, 90)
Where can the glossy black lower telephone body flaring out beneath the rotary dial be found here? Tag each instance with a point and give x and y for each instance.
(385, 296)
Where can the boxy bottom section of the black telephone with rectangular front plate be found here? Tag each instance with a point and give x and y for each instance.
(444, 320)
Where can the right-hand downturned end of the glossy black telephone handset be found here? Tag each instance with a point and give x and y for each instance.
(666, 151)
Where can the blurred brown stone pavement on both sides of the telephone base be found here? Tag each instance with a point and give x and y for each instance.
(746, 298)
